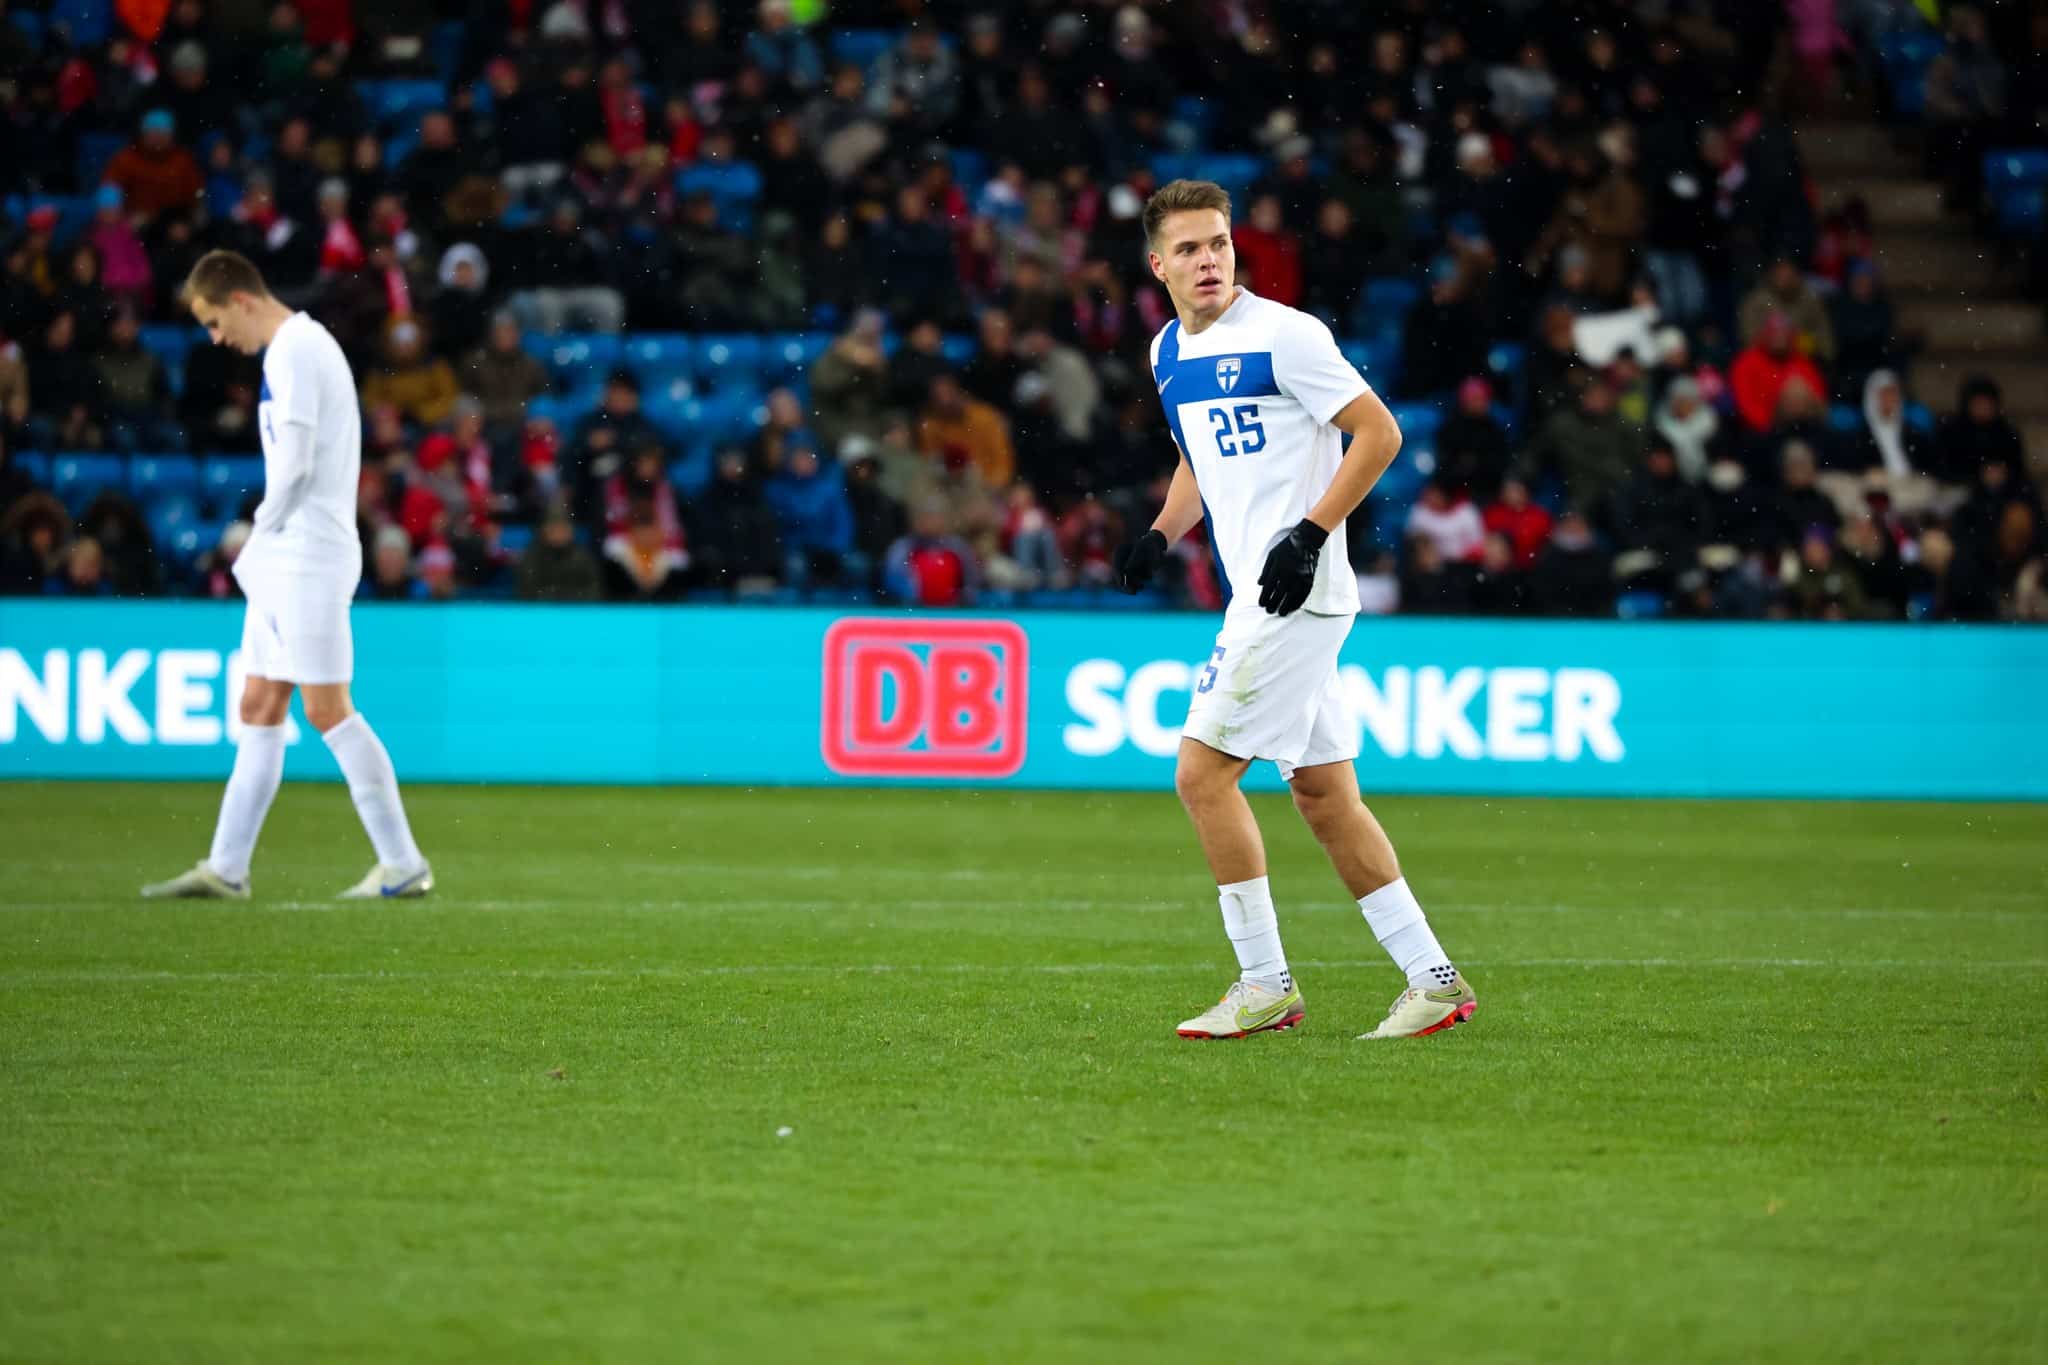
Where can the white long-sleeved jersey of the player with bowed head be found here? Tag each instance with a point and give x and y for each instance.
(312, 529)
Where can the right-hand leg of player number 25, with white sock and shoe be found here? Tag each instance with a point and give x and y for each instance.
(1437, 998)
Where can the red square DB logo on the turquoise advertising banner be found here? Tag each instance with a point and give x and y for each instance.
(937, 699)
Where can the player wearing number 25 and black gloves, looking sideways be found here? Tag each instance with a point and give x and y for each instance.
(1261, 402)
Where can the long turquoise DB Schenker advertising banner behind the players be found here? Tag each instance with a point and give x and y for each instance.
(499, 693)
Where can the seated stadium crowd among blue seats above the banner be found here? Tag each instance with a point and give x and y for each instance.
(669, 302)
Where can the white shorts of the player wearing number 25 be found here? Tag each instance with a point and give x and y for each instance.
(1271, 693)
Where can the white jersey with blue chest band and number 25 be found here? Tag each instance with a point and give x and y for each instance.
(1250, 402)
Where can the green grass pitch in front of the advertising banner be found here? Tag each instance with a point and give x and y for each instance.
(1748, 1084)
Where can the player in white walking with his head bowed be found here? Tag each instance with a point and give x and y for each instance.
(298, 570)
